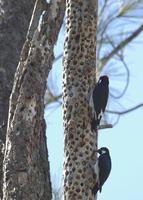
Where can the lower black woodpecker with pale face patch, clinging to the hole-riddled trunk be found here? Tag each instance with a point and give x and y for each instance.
(102, 168)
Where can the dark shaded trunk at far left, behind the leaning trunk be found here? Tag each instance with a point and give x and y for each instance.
(14, 21)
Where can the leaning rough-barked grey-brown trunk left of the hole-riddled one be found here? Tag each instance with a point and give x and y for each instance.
(26, 168)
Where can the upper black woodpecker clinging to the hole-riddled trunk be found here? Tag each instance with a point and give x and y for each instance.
(99, 100)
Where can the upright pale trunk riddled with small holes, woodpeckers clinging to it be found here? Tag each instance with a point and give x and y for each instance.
(78, 80)
